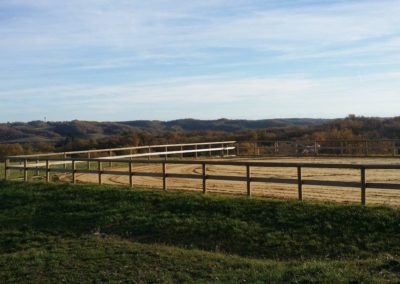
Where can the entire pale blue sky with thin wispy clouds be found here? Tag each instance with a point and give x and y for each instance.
(113, 60)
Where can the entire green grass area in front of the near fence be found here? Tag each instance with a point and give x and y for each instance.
(87, 233)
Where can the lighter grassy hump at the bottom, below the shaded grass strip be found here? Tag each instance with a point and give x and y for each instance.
(110, 259)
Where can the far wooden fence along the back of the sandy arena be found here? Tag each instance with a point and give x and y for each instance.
(353, 148)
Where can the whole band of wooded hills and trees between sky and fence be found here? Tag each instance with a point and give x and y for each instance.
(40, 136)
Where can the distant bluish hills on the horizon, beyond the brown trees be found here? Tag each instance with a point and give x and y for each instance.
(39, 131)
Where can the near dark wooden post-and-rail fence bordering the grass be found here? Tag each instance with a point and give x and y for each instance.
(46, 162)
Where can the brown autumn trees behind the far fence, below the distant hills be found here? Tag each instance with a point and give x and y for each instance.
(76, 135)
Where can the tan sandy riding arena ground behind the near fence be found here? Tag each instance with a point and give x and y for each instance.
(282, 191)
